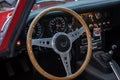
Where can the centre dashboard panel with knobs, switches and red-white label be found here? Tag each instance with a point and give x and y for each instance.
(98, 23)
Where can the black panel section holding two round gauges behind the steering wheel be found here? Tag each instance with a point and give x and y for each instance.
(47, 27)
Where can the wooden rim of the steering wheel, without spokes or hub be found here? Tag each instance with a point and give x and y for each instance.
(31, 54)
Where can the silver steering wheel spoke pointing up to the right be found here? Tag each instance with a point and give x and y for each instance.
(76, 34)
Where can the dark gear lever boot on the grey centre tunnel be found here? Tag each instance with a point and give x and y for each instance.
(100, 60)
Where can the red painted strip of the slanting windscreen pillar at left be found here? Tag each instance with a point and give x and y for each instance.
(4, 45)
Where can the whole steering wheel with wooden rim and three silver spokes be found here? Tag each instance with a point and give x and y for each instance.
(61, 43)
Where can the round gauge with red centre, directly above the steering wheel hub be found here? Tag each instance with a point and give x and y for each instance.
(57, 25)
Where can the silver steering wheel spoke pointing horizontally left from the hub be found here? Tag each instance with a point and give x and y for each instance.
(42, 42)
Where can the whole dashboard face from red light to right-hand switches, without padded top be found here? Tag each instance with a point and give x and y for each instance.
(98, 23)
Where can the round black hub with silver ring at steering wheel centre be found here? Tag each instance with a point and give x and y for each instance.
(61, 43)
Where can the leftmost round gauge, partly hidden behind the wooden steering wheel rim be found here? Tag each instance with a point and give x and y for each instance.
(37, 33)
